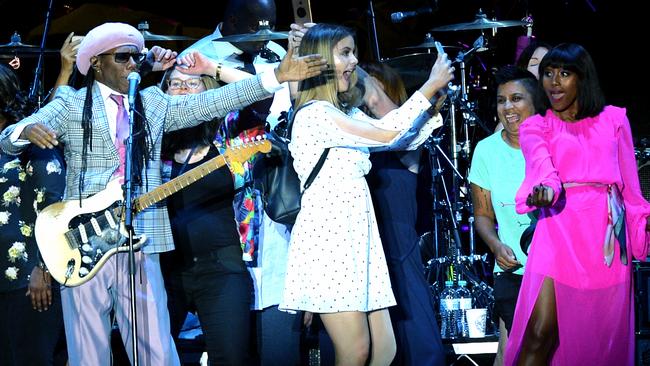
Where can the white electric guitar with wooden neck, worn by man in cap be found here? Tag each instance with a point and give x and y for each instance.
(75, 241)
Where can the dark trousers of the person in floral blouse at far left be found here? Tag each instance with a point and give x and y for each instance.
(29, 337)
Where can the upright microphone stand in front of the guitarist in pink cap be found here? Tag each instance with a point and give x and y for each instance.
(128, 223)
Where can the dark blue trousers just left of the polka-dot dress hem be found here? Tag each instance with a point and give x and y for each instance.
(278, 337)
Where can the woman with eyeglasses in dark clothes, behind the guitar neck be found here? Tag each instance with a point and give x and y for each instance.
(206, 273)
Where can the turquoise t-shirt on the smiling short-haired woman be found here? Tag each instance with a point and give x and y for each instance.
(500, 169)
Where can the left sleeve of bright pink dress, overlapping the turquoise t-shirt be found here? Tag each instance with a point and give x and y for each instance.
(534, 136)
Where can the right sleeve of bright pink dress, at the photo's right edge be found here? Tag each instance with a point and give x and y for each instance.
(637, 208)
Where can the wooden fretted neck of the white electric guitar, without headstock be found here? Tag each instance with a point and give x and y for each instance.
(165, 190)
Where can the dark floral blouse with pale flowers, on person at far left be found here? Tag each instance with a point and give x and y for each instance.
(28, 183)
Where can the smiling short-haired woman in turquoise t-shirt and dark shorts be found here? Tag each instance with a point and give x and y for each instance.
(497, 172)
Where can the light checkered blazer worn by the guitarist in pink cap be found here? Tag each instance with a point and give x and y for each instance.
(163, 113)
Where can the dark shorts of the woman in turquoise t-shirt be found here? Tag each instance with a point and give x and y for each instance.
(506, 291)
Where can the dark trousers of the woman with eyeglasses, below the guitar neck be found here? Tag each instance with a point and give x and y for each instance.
(219, 288)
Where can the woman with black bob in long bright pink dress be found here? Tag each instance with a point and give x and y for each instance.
(575, 306)
